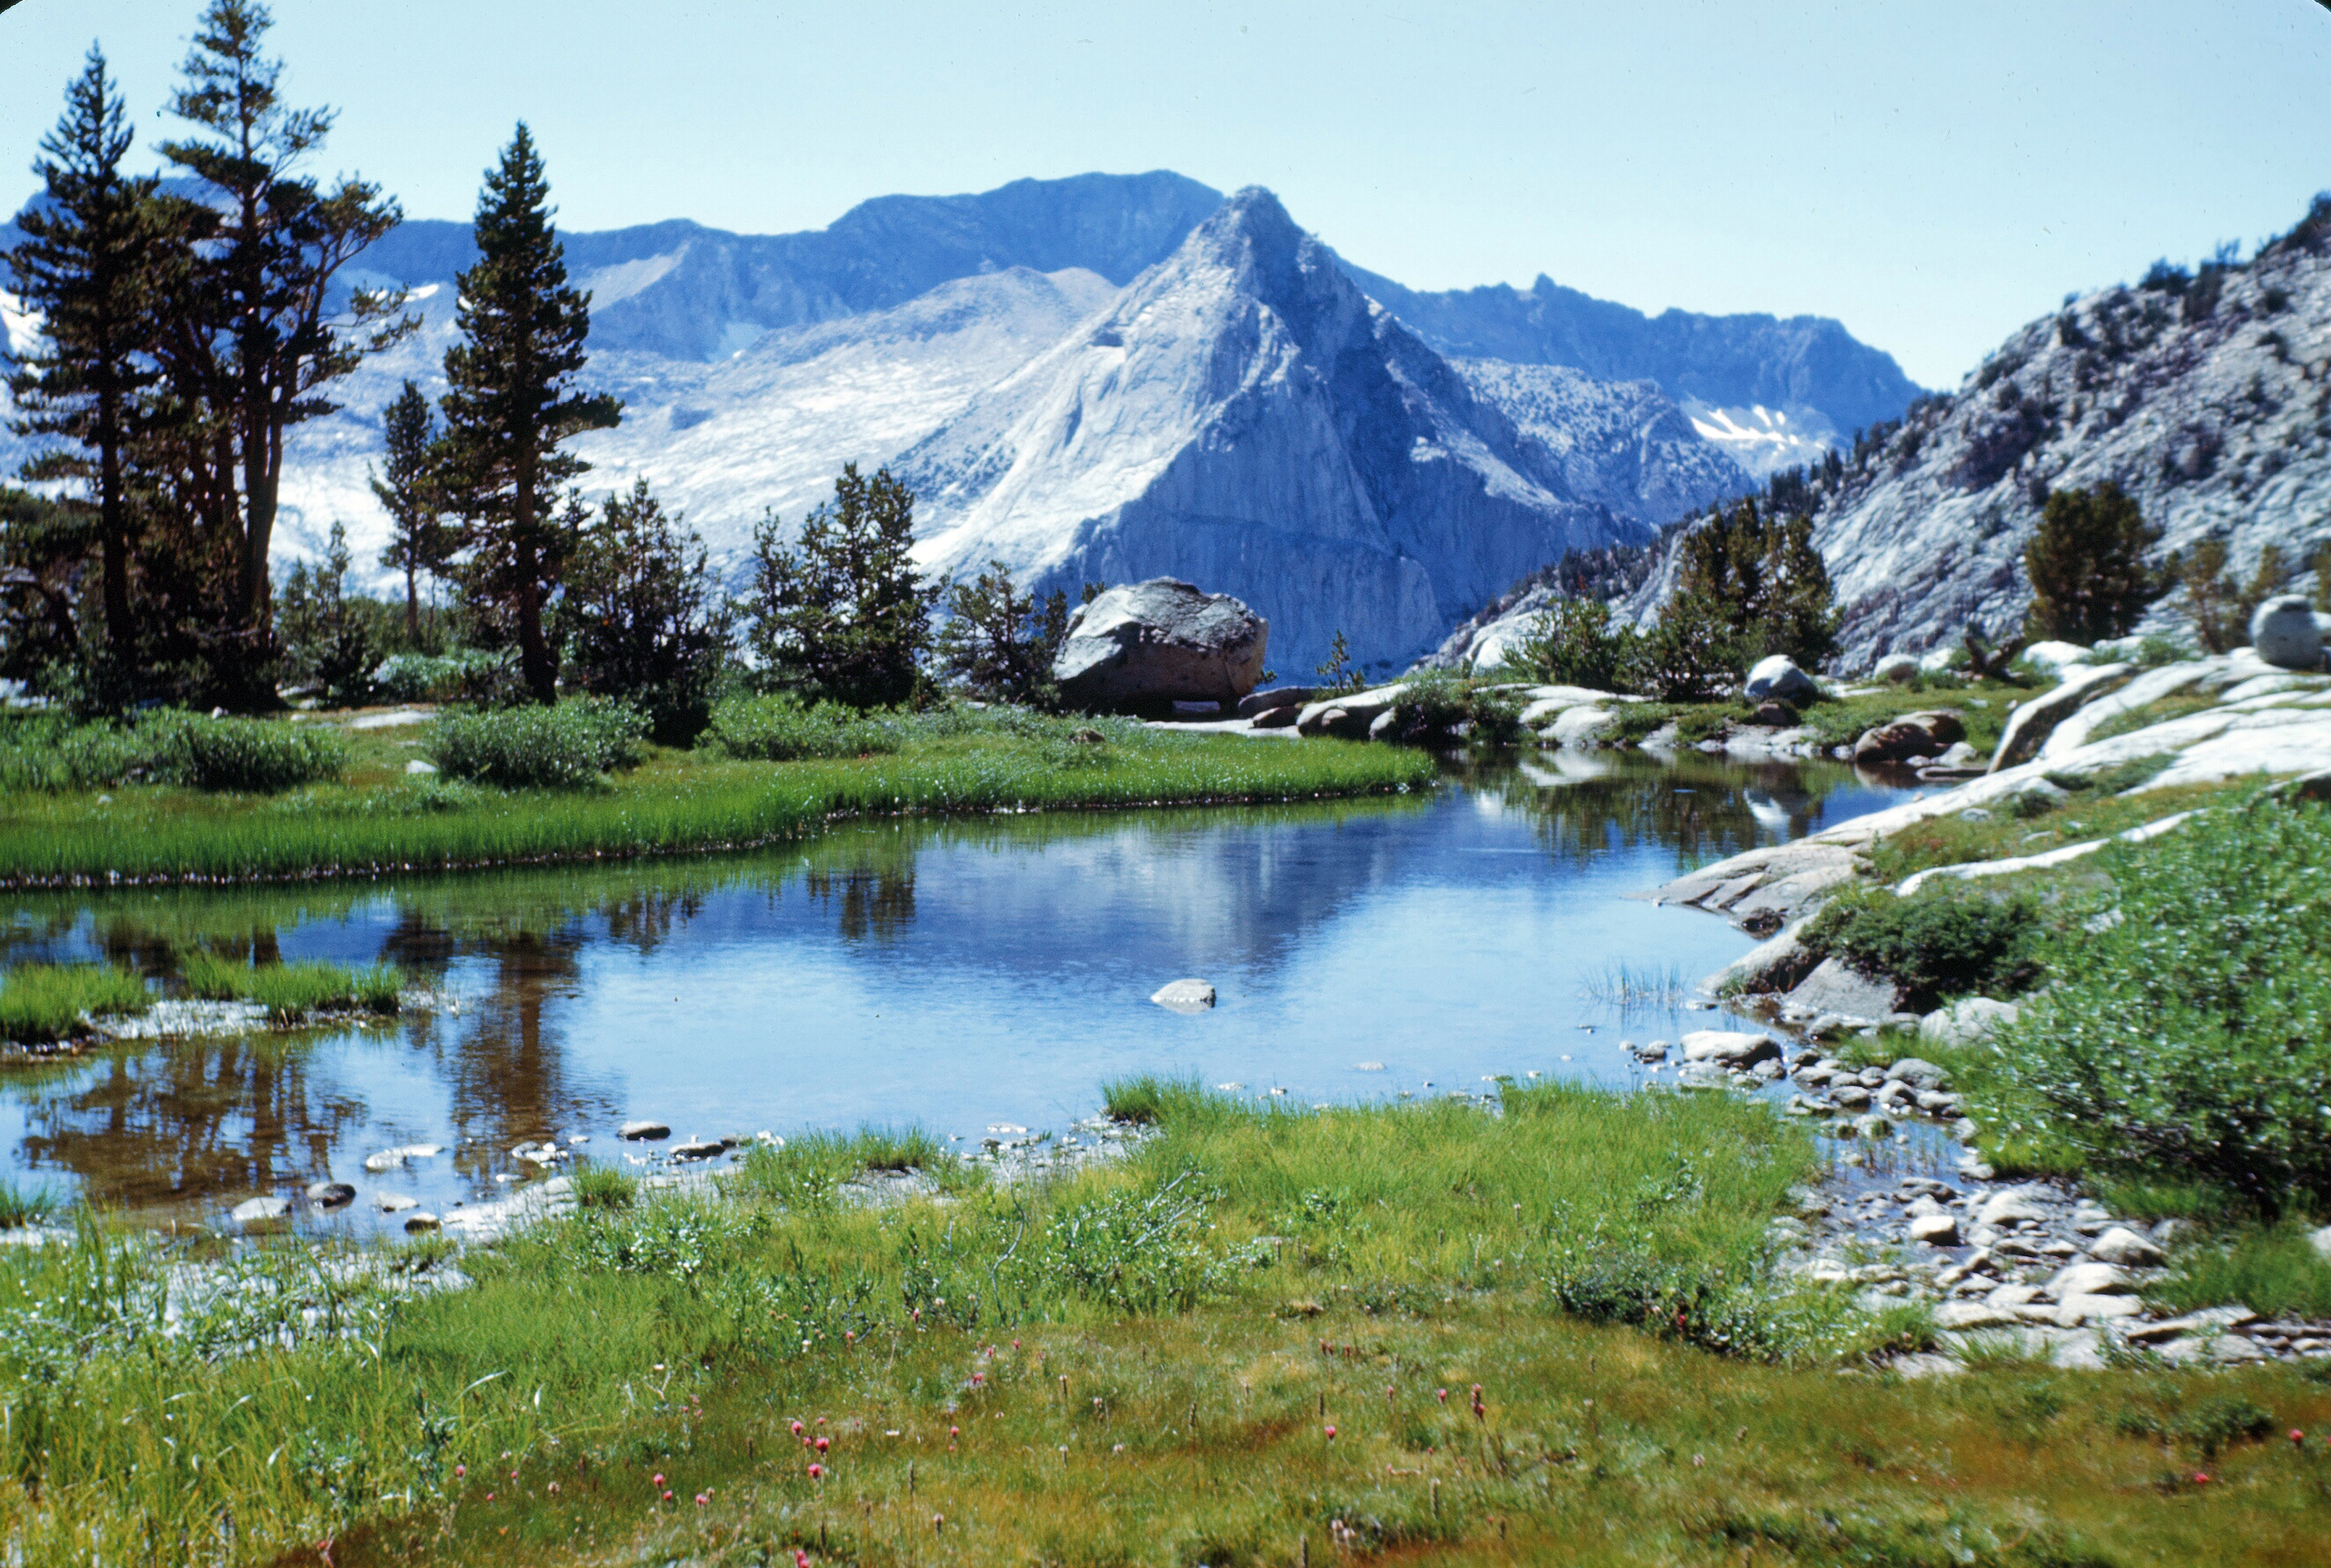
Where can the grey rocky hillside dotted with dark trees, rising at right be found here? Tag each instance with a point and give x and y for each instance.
(2209, 400)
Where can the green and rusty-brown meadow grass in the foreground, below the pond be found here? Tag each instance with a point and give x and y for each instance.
(1125, 1366)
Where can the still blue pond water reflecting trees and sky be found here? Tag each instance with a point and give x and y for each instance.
(945, 973)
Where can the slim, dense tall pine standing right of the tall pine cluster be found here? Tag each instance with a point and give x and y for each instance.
(514, 404)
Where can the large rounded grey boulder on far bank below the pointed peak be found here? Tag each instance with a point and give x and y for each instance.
(1160, 642)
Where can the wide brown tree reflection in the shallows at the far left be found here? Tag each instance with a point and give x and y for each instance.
(192, 1120)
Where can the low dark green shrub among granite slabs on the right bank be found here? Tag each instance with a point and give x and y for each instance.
(1943, 942)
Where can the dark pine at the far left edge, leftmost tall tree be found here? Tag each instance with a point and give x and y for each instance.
(90, 269)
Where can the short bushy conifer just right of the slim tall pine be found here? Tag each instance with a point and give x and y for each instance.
(647, 619)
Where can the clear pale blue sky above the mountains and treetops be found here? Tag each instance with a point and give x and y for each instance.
(1931, 176)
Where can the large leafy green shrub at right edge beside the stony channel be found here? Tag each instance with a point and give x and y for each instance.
(2190, 1031)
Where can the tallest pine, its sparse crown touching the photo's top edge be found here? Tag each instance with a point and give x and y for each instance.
(258, 339)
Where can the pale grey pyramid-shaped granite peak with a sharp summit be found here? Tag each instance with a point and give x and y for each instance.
(1244, 418)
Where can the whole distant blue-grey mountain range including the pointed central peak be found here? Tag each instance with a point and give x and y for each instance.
(754, 367)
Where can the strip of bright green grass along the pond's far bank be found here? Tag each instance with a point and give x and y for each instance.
(677, 803)
